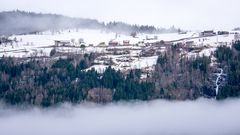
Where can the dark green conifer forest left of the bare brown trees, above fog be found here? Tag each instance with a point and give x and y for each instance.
(36, 84)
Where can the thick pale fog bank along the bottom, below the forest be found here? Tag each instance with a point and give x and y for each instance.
(139, 118)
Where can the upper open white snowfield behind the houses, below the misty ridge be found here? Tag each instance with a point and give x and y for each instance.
(27, 44)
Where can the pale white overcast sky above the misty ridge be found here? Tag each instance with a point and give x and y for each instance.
(187, 14)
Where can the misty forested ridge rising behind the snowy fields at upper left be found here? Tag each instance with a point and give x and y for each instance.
(42, 22)
